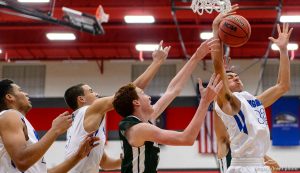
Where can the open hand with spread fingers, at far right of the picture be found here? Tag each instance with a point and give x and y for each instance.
(283, 36)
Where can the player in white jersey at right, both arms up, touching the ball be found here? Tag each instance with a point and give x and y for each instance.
(243, 114)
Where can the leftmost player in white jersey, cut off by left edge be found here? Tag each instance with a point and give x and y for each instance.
(20, 148)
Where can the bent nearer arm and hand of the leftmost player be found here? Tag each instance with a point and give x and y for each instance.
(12, 133)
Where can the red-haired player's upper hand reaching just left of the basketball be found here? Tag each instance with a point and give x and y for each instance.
(210, 45)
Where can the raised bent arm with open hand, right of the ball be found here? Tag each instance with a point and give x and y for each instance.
(269, 96)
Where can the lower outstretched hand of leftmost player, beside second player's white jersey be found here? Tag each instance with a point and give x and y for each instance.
(87, 145)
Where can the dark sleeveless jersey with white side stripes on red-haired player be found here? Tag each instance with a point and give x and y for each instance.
(143, 159)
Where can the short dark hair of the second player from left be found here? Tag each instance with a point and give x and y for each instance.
(71, 95)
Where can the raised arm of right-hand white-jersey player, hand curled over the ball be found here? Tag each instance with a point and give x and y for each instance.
(226, 100)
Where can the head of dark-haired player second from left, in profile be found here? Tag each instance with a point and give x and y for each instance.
(79, 95)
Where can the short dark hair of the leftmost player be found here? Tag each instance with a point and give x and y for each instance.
(5, 88)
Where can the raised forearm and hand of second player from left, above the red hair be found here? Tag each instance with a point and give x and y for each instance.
(159, 56)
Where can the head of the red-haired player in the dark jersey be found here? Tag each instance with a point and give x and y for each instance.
(129, 99)
